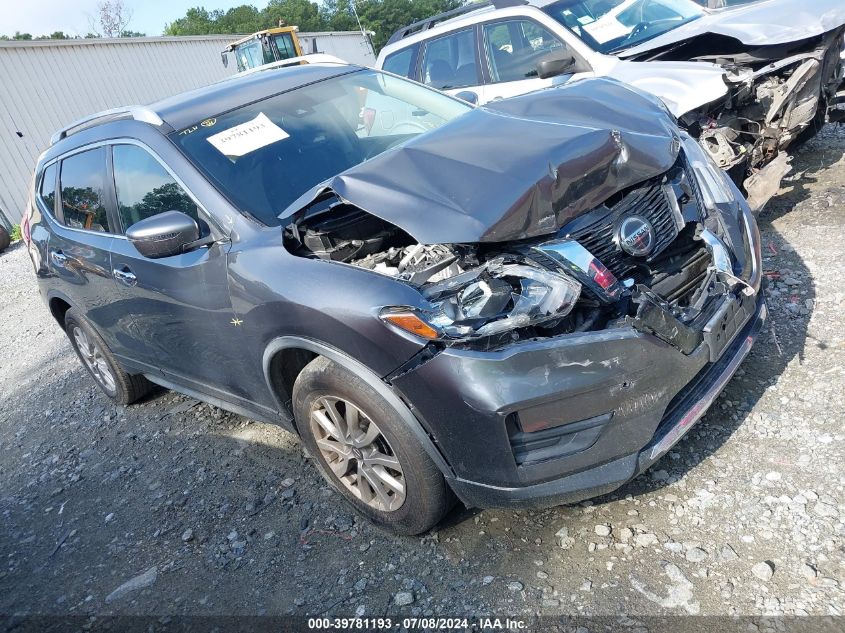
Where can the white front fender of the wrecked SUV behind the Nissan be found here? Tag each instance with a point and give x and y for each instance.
(683, 86)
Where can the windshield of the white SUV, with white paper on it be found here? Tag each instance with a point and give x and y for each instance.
(612, 25)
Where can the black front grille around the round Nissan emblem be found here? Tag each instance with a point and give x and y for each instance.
(595, 231)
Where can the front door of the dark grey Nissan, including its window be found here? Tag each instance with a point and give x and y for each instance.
(174, 310)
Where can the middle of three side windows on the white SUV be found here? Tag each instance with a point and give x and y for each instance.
(451, 62)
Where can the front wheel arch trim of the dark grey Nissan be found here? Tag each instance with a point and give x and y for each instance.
(296, 349)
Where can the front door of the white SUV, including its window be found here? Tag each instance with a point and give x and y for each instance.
(512, 49)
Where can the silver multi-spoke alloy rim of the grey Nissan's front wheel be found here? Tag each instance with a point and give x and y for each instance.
(357, 452)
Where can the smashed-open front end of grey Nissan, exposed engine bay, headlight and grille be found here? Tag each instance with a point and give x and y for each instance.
(652, 257)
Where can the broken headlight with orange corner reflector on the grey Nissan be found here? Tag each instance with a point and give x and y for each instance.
(495, 298)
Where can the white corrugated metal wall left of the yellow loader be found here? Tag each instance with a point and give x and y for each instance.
(47, 84)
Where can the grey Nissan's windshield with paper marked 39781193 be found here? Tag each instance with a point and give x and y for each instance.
(265, 155)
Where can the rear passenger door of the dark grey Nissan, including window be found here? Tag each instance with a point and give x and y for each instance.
(79, 246)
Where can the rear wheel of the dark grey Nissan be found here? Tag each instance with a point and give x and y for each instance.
(98, 360)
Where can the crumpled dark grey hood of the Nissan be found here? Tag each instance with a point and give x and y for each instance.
(516, 168)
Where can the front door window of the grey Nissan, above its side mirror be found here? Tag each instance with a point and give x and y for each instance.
(144, 188)
